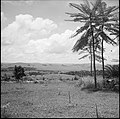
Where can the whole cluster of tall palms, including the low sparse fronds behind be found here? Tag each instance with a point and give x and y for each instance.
(99, 21)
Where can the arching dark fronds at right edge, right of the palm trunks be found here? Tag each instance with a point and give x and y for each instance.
(112, 71)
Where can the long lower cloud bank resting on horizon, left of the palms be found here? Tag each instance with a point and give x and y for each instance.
(57, 46)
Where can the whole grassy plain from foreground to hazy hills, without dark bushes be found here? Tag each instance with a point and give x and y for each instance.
(53, 97)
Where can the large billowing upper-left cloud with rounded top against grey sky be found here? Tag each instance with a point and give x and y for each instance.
(25, 28)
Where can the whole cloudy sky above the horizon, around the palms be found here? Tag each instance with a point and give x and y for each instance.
(36, 31)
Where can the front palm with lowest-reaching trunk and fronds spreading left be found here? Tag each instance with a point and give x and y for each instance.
(87, 15)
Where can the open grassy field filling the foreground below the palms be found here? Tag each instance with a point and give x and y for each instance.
(51, 99)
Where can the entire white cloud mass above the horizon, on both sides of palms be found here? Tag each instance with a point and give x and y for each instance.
(26, 40)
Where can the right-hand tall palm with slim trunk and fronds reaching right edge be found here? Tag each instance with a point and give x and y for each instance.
(107, 21)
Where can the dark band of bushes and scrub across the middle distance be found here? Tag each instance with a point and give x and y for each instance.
(111, 81)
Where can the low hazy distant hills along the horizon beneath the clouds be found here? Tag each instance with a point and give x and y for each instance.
(57, 67)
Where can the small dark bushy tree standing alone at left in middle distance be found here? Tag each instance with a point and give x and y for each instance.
(19, 73)
